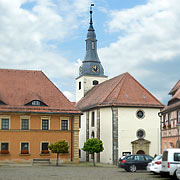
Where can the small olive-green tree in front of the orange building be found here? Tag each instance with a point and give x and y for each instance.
(59, 147)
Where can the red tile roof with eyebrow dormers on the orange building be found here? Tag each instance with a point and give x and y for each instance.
(19, 87)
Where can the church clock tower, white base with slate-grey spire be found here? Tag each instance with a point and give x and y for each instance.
(91, 71)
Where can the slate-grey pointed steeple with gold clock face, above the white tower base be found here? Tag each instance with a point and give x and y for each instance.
(91, 63)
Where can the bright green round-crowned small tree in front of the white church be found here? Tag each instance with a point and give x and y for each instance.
(93, 146)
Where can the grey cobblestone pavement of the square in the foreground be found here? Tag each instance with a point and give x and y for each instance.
(38, 172)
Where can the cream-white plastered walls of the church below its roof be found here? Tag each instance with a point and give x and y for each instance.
(128, 125)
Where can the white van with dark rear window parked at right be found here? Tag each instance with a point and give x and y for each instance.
(170, 162)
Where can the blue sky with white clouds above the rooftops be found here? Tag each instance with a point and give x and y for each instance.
(141, 37)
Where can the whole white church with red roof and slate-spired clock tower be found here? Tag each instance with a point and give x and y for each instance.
(119, 111)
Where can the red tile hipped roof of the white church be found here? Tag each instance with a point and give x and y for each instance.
(122, 90)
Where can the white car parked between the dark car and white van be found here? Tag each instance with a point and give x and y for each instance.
(155, 165)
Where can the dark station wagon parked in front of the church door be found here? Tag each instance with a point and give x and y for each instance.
(135, 162)
